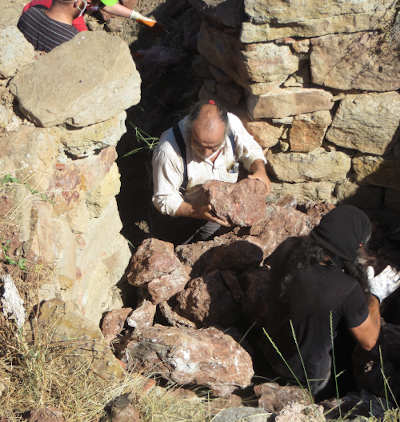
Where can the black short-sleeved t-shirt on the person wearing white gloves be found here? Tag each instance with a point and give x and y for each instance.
(315, 298)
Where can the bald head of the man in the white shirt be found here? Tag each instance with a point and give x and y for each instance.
(208, 130)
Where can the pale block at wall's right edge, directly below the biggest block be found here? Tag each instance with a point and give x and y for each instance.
(367, 123)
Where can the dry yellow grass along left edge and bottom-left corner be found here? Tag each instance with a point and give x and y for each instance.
(38, 371)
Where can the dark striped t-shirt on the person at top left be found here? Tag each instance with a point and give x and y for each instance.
(43, 32)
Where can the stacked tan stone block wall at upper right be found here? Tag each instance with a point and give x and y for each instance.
(316, 83)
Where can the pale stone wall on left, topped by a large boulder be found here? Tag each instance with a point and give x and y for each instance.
(61, 116)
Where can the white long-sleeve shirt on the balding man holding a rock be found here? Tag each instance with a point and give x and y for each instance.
(168, 168)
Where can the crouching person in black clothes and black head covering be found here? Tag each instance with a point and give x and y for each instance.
(320, 283)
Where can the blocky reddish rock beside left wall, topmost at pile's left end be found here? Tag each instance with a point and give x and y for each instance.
(156, 265)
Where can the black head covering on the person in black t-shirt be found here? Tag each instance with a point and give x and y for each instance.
(342, 230)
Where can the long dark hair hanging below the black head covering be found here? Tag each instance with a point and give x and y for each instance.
(309, 253)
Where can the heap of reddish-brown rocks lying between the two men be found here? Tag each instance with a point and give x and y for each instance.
(202, 293)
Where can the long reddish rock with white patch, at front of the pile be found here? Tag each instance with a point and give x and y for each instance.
(187, 356)
